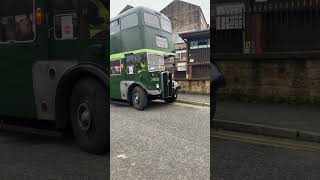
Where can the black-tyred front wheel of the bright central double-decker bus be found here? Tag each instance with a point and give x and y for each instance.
(139, 98)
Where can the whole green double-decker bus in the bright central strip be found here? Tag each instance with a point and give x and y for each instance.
(140, 42)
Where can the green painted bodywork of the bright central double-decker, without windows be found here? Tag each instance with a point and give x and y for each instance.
(140, 39)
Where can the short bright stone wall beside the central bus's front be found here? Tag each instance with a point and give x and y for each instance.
(195, 86)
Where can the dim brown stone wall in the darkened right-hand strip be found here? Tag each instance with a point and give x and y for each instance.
(281, 80)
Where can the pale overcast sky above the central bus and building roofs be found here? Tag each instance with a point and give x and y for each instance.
(117, 5)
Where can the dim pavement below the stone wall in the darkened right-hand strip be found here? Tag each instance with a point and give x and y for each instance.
(298, 117)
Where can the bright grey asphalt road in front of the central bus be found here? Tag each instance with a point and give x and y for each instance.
(162, 142)
